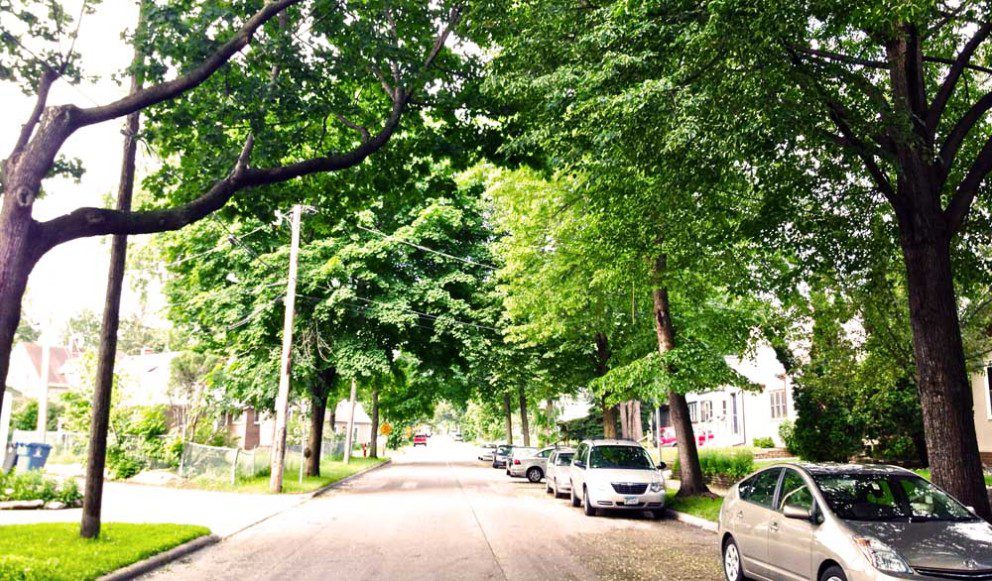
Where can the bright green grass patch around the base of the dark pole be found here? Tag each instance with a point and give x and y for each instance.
(54, 551)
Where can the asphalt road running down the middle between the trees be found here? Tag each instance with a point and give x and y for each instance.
(438, 513)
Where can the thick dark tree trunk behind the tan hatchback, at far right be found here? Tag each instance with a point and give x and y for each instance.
(945, 392)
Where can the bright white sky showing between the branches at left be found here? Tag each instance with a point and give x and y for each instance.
(72, 277)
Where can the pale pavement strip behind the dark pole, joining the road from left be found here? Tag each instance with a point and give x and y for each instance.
(224, 513)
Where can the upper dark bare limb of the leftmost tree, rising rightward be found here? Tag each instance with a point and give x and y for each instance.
(170, 89)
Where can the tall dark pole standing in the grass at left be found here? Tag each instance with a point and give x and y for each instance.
(102, 391)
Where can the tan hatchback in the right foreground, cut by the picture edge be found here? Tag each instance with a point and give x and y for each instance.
(831, 522)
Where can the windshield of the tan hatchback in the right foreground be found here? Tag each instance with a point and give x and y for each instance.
(888, 497)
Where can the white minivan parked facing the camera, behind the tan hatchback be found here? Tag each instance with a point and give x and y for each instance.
(616, 474)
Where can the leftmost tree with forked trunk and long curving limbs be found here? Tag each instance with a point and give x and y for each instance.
(202, 39)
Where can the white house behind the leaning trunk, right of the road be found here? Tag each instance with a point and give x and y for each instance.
(730, 416)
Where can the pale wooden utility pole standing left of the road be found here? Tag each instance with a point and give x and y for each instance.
(285, 364)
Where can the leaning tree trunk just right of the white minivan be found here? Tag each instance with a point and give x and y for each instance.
(690, 472)
